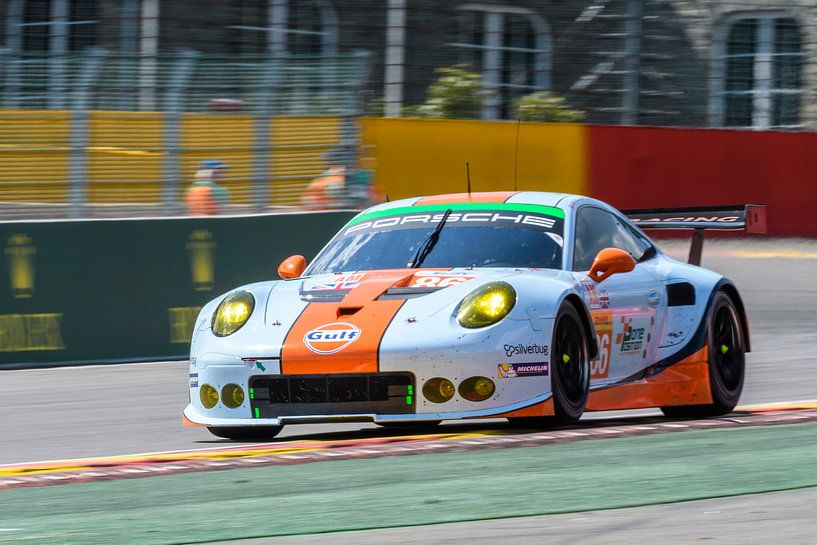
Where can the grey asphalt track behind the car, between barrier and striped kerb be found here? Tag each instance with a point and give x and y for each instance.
(62, 413)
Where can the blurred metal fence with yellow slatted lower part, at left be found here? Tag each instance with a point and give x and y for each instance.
(107, 139)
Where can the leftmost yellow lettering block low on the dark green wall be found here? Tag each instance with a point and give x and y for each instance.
(28, 332)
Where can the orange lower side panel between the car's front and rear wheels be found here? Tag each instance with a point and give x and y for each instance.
(684, 383)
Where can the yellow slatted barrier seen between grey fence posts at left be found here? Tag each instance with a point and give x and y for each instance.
(126, 153)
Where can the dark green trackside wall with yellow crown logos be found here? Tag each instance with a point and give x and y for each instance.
(122, 290)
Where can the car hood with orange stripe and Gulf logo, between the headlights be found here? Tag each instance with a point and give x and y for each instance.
(334, 323)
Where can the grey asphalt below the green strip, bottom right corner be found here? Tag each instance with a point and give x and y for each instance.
(762, 519)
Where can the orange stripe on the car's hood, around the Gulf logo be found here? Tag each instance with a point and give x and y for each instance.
(359, 308)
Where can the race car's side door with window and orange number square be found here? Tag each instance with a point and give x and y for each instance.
(625, 307)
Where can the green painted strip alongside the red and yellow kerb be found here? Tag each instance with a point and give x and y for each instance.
(411, 490)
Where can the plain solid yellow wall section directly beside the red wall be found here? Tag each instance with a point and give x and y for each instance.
(414, 157)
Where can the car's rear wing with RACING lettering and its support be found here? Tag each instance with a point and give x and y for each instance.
(740, 217)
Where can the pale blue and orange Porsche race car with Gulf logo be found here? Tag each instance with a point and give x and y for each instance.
(530, 306)
